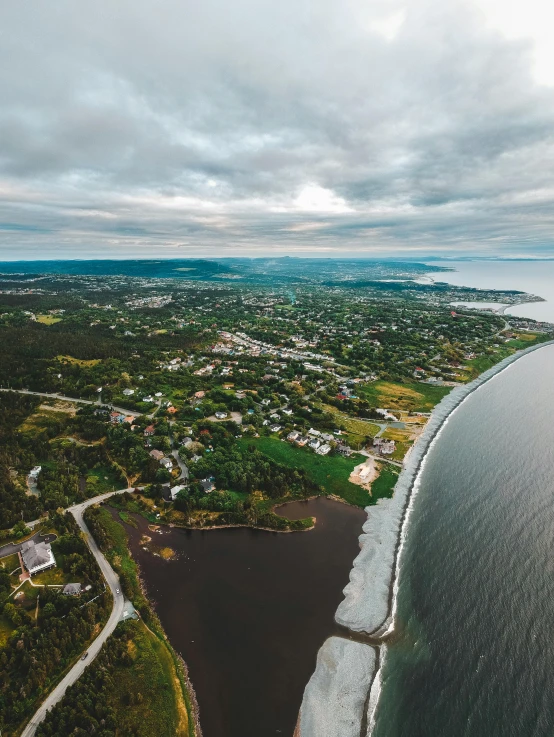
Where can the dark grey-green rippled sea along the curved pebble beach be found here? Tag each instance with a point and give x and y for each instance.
(473, 652)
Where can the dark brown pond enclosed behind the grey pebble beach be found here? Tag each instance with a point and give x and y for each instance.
(249, 609)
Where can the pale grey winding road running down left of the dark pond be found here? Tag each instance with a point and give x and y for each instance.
(121, 610)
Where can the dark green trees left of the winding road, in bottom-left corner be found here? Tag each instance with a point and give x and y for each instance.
(47, 639)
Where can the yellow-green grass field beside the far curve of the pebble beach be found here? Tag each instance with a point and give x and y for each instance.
(413, 396)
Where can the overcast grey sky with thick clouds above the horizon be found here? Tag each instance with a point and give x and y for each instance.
(310, 127)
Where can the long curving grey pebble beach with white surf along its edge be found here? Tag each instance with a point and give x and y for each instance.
(370, 602)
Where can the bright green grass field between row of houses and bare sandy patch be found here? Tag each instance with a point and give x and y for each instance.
(330, 472)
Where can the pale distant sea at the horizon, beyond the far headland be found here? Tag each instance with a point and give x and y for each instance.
(533, 277)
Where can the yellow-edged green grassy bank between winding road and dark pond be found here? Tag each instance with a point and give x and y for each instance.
(160, 710)
